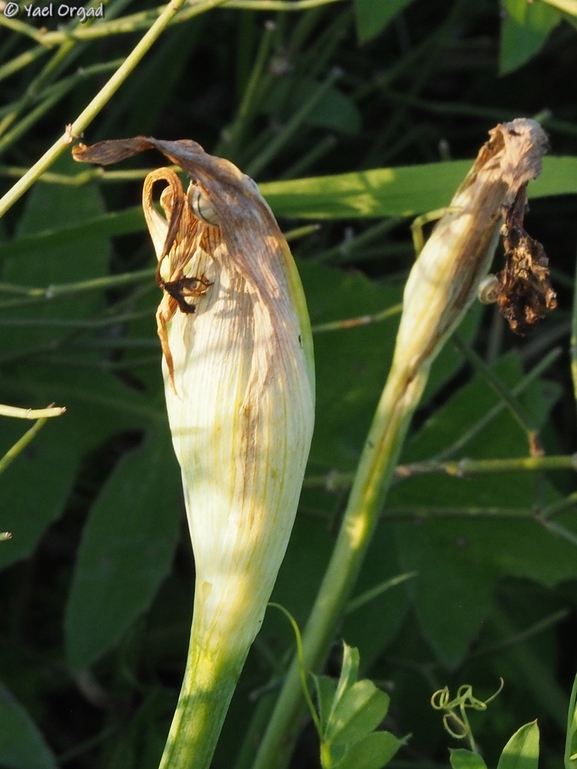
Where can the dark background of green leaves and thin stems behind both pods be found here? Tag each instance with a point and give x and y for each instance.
(98, 576)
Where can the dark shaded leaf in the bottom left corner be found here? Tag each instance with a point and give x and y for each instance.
(21, 744)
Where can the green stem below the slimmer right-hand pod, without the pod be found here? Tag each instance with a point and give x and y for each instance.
(385, 439)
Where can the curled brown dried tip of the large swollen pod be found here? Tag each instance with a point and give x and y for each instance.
(224, 217)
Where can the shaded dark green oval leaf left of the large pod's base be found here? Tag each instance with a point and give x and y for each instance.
(126, 550)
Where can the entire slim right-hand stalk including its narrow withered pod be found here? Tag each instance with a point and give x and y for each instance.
(440, 288)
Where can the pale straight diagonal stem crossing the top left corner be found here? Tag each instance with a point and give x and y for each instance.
(97, 104)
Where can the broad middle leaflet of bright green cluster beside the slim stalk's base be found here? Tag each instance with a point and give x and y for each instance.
(358, 712)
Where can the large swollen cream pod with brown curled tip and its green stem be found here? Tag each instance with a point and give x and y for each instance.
(239, 389)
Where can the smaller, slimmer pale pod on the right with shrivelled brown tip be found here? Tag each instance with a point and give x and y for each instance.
(457, 256)
